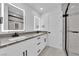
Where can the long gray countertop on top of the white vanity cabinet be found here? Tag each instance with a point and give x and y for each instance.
(12, 40)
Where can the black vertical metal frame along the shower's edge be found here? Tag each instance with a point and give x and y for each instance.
(65, 43)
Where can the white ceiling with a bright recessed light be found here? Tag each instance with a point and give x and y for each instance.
(46, 7)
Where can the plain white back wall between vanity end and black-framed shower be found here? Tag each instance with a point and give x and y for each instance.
(55, 27)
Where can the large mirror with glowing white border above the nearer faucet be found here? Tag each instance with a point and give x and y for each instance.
(13, 18)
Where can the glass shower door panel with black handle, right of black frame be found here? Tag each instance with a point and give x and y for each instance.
(73, 29)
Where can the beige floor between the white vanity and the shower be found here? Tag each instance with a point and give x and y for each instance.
(50, 51)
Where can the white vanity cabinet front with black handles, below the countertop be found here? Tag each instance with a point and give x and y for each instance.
(30, 47)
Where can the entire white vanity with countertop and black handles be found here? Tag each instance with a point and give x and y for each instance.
(26, 45)
